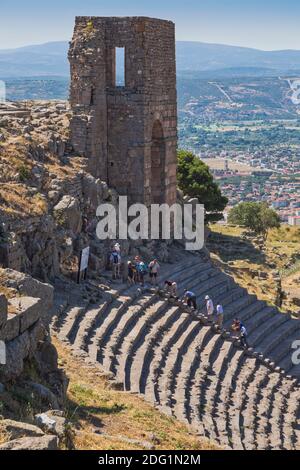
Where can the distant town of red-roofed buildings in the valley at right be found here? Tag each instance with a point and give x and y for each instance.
(274, 178)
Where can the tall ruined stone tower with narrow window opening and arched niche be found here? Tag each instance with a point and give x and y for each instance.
(125, 122)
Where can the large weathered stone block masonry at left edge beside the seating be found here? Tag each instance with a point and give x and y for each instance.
(24, 328)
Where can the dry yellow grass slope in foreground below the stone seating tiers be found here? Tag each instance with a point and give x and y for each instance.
(93, 408)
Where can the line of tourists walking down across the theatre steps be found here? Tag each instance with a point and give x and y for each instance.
(137, 271)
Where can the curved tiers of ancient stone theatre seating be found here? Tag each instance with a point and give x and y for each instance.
(240, 400)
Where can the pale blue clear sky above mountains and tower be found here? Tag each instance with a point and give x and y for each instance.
(264, 24)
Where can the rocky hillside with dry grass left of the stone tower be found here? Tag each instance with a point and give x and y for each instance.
(45, 191)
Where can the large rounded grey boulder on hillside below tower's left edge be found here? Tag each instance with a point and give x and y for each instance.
(67, 213)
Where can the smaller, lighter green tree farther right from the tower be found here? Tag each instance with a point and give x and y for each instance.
(256, 216)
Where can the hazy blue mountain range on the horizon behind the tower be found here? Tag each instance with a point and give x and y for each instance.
(193, 58)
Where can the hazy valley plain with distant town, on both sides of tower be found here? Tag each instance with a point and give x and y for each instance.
(246, 129)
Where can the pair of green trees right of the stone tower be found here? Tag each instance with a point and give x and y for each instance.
(195, 180)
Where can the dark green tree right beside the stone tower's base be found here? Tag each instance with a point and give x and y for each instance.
(195, 180)
